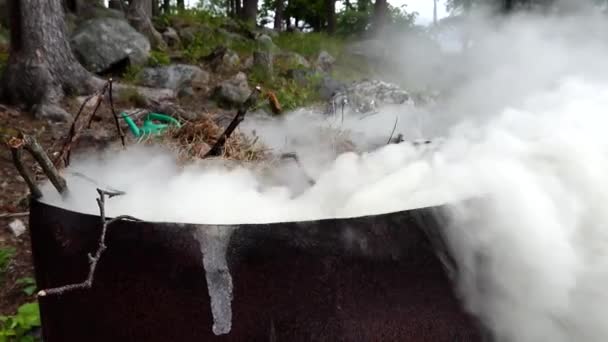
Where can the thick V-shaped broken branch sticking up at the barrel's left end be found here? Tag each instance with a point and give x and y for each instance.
(29, 143)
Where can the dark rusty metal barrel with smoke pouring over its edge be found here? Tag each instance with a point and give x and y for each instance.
(374, 278)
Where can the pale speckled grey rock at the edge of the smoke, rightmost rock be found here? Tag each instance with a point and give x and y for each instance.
(368, 95)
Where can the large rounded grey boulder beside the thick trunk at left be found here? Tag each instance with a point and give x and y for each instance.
(102, 43)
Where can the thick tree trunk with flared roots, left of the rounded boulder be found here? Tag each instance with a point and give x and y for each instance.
(41, 67)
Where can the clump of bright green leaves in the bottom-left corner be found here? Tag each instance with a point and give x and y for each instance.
(16, 328)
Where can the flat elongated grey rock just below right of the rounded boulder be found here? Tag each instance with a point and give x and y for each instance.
(175, 77)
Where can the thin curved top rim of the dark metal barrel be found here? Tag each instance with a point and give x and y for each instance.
(322, 221)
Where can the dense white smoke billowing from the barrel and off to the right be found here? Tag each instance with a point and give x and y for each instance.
(524, 124)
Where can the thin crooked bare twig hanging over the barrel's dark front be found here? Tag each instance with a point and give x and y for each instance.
(93, 260)
